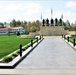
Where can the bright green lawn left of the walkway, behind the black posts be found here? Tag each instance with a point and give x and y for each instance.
(9, 44)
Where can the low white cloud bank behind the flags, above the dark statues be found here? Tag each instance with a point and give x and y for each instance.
(67, 15)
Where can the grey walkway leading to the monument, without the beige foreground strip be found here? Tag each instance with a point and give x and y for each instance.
(51, 53)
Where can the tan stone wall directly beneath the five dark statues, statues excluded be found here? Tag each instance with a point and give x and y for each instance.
(52, 31)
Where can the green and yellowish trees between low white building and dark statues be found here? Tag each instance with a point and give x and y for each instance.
(29, 26)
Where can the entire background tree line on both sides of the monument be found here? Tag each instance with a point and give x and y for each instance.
(35, 25)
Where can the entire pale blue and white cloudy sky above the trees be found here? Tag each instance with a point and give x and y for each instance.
(31, 10)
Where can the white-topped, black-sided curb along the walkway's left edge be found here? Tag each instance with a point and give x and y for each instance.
(18, 59)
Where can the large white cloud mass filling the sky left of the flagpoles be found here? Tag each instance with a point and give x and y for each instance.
(19, 11)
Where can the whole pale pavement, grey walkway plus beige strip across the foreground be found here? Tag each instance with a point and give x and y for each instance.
(52, 56)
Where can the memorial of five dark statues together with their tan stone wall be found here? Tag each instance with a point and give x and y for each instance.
(53, 27)
